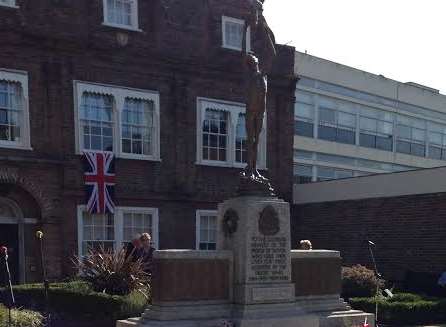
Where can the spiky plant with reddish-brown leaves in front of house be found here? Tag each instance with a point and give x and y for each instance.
(112, 272)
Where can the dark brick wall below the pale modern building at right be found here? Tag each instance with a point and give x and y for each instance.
(408, 231)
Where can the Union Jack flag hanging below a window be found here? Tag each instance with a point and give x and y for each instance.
(99, 177)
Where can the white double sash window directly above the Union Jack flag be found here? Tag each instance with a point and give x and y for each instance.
(117, 119)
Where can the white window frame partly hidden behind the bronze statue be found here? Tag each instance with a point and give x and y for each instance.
(233, 109)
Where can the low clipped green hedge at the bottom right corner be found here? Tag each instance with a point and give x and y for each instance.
(404, 309)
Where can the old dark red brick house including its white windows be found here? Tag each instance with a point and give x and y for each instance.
(156, 82)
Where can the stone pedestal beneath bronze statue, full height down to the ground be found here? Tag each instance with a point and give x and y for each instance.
(257, 231)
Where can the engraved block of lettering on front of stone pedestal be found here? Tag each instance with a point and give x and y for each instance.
(268, 259)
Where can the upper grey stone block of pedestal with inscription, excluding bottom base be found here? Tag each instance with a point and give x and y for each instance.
(262, 258)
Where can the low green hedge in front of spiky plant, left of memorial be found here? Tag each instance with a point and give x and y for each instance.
(77, 299)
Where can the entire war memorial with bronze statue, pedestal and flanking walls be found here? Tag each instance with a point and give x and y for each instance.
(253, 278)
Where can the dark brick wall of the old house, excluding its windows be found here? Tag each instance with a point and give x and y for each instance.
(179, 54)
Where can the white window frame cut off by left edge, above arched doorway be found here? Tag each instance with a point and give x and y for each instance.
(21, 77)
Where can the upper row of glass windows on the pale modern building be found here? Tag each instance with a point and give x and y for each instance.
(352, 123)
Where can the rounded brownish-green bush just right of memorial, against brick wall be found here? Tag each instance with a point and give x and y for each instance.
(359, 281)
